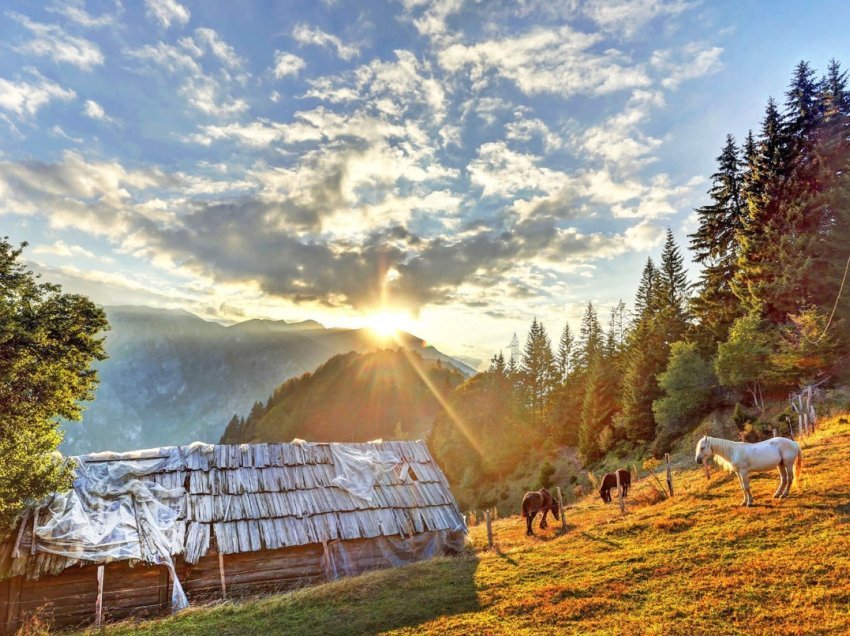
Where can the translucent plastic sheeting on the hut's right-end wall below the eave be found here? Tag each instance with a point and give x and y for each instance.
(350, 558)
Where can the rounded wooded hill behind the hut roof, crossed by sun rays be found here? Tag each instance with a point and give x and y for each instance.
(353, 397)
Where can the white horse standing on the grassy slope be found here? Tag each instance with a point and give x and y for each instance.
(742, 459)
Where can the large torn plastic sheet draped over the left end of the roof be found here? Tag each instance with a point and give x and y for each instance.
(111, 514)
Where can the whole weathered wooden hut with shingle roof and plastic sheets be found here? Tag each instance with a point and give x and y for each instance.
(217, 521)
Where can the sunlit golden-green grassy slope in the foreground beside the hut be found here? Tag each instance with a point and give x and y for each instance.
(693, 564)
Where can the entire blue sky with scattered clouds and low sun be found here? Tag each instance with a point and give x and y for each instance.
(454, 167)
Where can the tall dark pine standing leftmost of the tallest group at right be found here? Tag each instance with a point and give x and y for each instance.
(715, 246)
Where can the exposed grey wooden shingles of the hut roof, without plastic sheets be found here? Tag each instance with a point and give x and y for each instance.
(252, 497)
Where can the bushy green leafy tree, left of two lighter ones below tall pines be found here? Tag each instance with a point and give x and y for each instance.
(687, 384)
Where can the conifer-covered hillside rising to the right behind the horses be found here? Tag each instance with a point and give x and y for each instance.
(765, 316)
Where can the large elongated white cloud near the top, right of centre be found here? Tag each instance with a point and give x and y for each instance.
(546, 60)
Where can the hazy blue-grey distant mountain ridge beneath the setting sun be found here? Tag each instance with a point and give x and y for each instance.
(173, 378)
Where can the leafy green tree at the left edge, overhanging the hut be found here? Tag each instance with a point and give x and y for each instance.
(48, 341)
